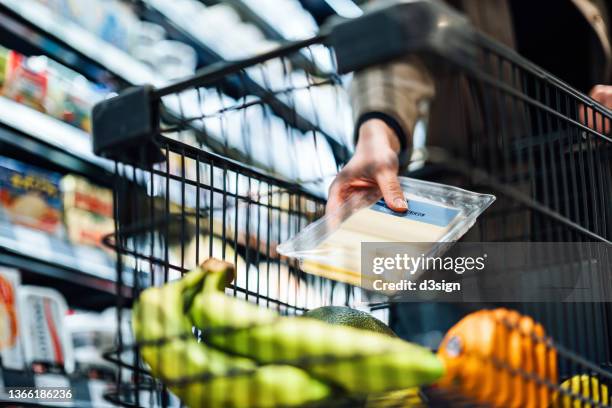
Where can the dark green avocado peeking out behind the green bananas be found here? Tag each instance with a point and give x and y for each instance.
(345, 316)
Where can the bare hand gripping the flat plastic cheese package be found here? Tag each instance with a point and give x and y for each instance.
(372, 169)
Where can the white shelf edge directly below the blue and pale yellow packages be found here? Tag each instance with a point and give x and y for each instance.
(84, 274)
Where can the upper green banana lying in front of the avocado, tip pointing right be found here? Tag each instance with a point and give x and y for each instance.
(357, 361)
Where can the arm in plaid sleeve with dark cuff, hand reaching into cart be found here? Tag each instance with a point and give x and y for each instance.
(386, 104)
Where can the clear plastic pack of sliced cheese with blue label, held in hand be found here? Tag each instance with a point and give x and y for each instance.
(437, 215)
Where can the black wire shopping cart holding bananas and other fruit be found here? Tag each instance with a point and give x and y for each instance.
(215, 166)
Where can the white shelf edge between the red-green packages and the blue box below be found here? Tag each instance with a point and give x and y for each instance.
(40, 134)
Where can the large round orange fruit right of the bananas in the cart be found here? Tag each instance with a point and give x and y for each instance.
(490, 356)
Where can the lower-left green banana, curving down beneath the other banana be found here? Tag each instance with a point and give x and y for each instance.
(202, 376)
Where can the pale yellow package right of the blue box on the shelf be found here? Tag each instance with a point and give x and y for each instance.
(88, 210)
